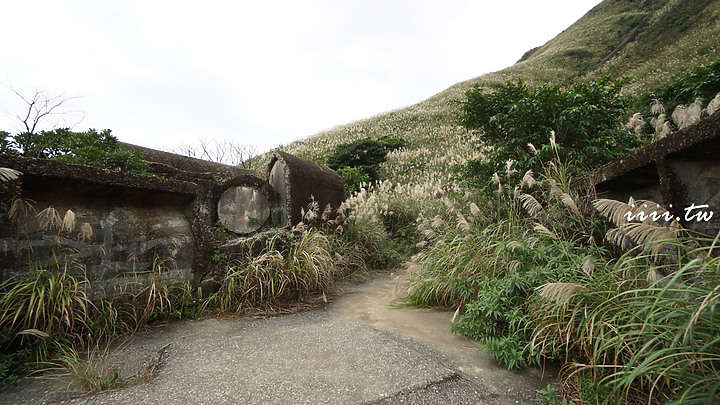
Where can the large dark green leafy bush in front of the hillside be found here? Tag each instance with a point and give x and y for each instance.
(586, 119)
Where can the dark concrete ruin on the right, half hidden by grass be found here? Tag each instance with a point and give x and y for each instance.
(679, 171)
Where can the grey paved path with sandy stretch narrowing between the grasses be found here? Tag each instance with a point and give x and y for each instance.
(355, 351)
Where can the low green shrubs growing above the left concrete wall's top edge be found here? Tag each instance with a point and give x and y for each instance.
(91, 148)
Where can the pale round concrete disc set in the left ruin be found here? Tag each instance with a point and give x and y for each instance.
(243, 209)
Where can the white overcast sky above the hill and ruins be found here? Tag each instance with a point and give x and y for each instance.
(262, 73)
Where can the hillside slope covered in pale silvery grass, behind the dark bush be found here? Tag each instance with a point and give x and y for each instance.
(677, 35)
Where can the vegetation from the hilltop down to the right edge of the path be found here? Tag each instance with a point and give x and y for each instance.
(528, 247)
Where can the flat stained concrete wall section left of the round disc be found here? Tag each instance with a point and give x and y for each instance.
(122, 224)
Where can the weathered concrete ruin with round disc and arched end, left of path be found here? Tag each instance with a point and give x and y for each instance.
(123, 223)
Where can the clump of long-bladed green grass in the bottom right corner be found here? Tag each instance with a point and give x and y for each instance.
(646, 336)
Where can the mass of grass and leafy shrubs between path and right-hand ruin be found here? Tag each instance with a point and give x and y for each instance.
(643, 327)
